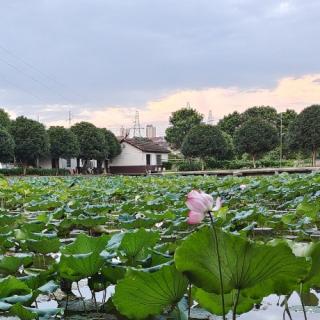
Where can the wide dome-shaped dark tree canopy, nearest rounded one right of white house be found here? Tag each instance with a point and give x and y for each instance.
(205, 141)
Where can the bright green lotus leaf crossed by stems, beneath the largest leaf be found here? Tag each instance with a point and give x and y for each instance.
(212, 301)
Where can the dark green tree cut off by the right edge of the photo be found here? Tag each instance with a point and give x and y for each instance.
(305, 132)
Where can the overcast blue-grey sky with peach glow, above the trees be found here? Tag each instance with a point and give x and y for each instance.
(104, 59)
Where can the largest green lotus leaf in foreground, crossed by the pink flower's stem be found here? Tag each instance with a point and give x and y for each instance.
(244, 264)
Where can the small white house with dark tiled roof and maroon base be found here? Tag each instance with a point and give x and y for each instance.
(139, 155)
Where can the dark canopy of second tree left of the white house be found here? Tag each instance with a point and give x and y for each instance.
(91, 141)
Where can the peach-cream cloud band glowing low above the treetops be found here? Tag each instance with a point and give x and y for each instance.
(290, 92)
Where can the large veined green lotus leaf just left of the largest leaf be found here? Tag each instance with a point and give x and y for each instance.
(142, 294)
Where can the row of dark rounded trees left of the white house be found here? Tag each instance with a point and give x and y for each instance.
(25, 141)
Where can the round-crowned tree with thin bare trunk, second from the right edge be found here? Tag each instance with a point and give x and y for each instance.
(256, 137)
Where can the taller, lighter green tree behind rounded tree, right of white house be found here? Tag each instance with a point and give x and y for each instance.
(181, 121)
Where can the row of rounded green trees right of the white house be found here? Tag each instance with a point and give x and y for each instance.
(255, 132)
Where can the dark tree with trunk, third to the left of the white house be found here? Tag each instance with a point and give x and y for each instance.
(63, 144)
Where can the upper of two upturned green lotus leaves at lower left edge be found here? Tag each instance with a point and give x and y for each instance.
(12, 263)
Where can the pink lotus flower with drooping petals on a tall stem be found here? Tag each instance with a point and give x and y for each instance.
(199, 204)
